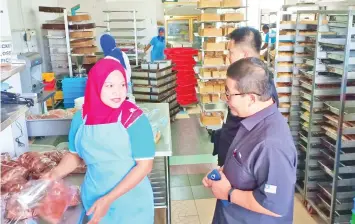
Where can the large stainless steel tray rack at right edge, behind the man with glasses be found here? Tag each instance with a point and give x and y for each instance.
(326, 143)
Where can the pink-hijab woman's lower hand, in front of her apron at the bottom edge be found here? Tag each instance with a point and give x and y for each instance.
(99, 209)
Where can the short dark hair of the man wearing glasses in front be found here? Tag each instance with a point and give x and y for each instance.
(251, 76)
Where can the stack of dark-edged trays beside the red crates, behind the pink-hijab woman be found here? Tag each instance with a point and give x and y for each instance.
(156, 83)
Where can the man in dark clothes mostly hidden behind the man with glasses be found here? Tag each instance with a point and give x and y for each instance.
(244, 42)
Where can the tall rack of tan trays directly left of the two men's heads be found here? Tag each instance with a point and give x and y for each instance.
(216, 106)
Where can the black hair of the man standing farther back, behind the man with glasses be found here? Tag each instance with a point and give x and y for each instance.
(247, 36)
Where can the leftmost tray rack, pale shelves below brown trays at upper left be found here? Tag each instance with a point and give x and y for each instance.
(55, 34)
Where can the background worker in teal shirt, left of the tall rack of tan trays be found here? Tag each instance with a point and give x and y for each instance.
(158, 44)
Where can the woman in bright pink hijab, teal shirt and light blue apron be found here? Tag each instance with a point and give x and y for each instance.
(115, 139)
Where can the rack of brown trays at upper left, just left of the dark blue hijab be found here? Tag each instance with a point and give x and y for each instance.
(82, 42)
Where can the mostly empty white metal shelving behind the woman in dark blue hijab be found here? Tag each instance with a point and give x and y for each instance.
(125, 41)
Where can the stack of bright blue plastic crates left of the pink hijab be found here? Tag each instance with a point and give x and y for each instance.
(73, 88)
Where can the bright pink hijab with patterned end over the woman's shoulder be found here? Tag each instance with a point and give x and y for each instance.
(95, 111)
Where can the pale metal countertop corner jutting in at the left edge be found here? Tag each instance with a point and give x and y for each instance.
(10, 113)
